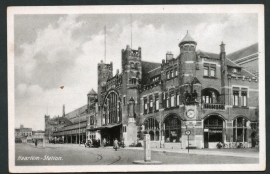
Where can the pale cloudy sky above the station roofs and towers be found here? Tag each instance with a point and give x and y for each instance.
(64, 50)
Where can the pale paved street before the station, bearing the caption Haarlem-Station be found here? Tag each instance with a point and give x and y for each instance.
(73, 154)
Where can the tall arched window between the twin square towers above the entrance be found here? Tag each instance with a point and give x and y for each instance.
(111, 108)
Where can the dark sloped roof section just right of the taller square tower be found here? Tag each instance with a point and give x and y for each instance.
(146, 68)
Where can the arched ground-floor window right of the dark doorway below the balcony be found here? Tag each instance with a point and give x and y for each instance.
(240, 129)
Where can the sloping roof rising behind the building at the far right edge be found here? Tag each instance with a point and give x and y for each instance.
(252, 49)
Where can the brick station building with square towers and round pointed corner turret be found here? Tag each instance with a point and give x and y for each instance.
(206, 93)
